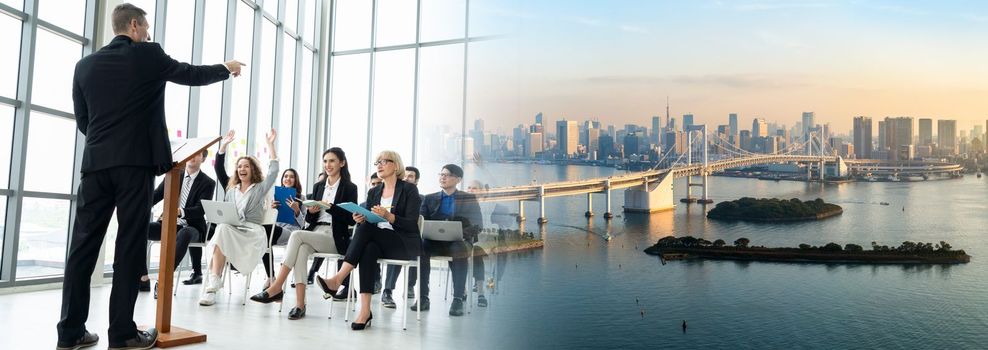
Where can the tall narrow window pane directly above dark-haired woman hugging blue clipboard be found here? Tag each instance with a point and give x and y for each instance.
(285, 130)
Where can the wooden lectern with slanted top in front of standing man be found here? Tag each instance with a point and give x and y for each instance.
(169, 336)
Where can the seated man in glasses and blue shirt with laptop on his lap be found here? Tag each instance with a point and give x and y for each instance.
(449, 204)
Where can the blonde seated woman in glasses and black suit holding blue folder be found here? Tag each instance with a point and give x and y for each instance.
(398, 237)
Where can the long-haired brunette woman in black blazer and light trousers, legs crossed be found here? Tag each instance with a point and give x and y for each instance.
(327, 230)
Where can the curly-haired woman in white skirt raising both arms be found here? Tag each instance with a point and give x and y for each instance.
(242, 245)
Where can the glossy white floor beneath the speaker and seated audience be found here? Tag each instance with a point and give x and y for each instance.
(27, 321)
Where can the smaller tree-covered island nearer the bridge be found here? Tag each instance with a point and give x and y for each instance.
(774, 210)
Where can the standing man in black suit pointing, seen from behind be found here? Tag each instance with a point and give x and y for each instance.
(119, 100)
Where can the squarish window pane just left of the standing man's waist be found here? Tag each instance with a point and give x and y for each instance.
(50, 153)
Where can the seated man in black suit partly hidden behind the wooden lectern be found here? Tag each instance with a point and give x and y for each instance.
(191, 225)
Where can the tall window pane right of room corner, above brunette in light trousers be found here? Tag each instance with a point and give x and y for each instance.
(348, 128)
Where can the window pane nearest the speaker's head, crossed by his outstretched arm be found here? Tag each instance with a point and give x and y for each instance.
(178, 45)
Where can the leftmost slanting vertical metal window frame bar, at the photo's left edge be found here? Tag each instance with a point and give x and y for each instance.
(8, 267)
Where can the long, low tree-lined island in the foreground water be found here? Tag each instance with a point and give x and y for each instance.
(673, 248)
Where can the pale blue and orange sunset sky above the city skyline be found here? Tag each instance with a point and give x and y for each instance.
(617, 60)
